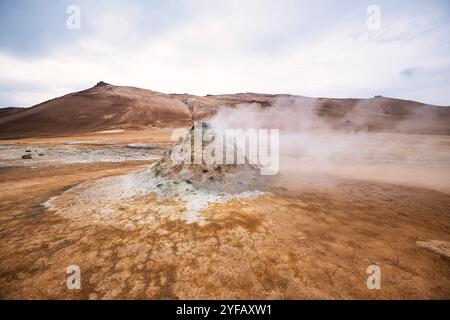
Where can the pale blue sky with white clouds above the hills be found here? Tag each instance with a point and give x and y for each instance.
(321, 48)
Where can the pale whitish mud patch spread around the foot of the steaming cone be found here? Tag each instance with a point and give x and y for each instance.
(115, 200)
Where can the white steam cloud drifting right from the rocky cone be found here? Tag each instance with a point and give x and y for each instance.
(313, 146)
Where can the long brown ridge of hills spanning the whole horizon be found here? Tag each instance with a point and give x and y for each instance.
(106, 106)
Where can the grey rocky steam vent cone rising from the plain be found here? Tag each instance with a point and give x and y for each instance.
(178, 164)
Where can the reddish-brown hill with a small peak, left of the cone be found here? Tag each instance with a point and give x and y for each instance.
(99, 108)
